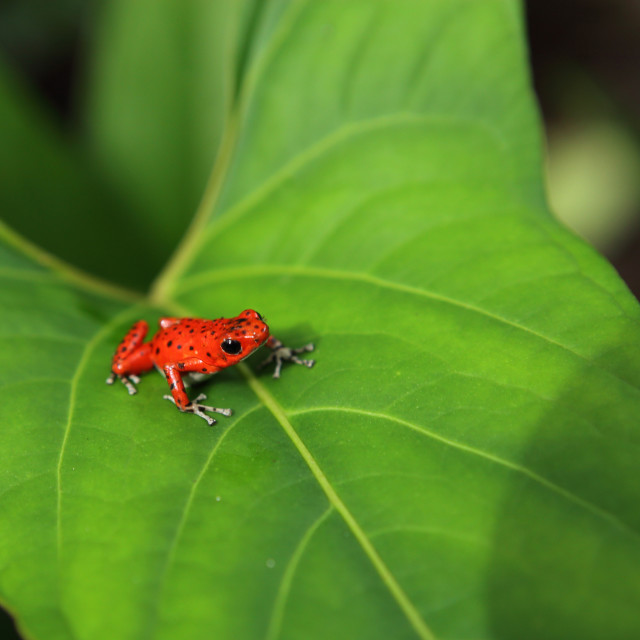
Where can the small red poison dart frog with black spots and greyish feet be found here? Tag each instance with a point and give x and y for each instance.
(188, 350)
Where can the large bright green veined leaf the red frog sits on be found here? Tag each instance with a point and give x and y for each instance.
(461, 461)
